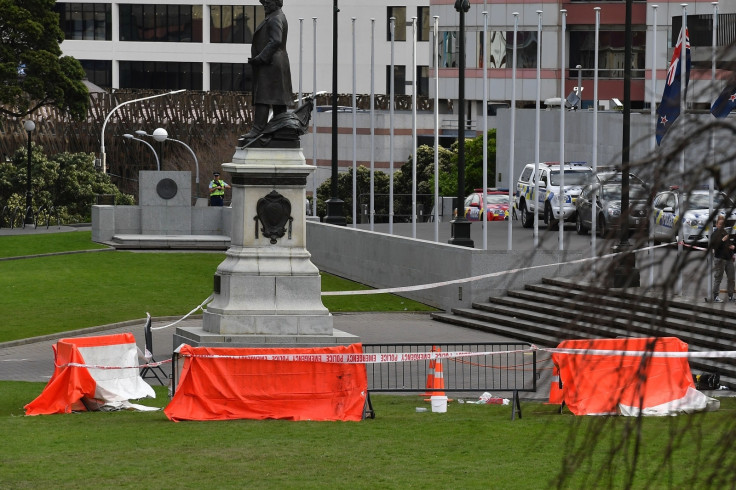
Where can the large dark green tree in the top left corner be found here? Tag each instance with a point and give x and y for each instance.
(33, 73)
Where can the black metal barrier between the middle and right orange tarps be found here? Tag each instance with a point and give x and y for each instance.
(502, 366)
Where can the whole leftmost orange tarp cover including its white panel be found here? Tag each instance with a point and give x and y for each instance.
(69, 385)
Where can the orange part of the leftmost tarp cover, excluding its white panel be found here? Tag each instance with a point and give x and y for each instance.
(68, 385)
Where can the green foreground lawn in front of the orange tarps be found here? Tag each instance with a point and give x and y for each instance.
(470, 446)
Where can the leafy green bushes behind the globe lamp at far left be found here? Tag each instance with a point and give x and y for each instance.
(67, 181)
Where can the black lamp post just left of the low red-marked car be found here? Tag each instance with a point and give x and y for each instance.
(460, 227)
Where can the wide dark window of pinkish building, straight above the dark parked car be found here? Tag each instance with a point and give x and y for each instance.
(610, 52)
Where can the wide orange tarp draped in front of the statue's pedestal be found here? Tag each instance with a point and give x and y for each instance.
(222, 388)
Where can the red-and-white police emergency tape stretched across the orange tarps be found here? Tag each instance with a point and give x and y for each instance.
(396, 357)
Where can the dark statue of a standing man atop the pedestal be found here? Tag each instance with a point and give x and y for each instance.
(270, 63)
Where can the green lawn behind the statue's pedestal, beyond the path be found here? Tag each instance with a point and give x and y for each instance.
(58, 293)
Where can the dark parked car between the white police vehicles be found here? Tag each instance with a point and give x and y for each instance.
(608, 208)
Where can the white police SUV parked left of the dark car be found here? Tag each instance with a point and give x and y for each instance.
(577, 174)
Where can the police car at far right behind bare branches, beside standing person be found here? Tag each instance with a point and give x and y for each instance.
(678, 215)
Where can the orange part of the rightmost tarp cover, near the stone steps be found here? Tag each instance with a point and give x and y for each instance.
(597, 384)
